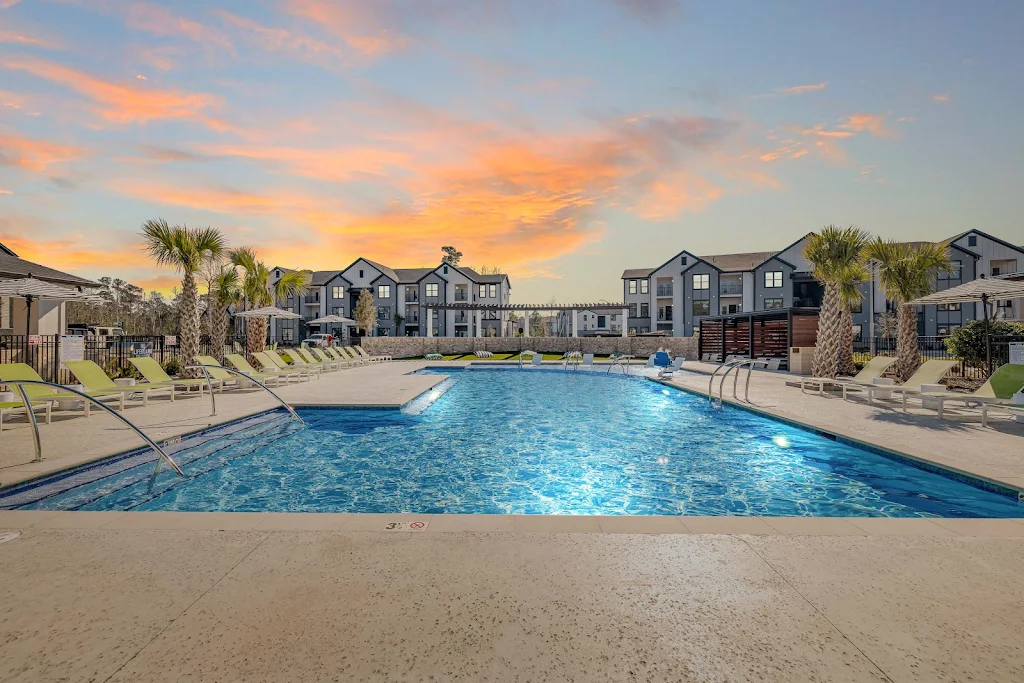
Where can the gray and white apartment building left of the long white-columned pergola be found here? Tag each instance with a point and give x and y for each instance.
(402, 297)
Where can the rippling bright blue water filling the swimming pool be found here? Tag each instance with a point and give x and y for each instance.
(533, 443)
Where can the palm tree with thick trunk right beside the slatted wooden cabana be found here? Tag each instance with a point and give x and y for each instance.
(837, 262)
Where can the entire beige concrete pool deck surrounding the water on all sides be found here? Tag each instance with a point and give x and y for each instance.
(162, 596)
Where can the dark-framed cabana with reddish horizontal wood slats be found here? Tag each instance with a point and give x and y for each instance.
(763, 334)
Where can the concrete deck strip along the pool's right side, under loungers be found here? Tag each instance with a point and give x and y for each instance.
(959, 443)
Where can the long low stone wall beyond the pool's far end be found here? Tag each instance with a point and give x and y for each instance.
(407, 348)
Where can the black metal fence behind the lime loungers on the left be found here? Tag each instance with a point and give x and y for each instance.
(44, 353)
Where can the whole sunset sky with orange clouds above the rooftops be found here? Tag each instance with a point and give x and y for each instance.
(563, 141)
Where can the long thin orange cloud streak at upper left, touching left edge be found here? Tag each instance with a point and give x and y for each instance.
(123, 103)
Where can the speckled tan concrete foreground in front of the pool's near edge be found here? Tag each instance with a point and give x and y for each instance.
(245, 606)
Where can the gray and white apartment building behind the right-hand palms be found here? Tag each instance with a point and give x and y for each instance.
(674, 296)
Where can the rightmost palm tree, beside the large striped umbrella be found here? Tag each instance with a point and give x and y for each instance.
(907, 273)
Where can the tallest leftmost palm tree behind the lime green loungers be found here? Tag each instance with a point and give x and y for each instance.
(185, 249)
